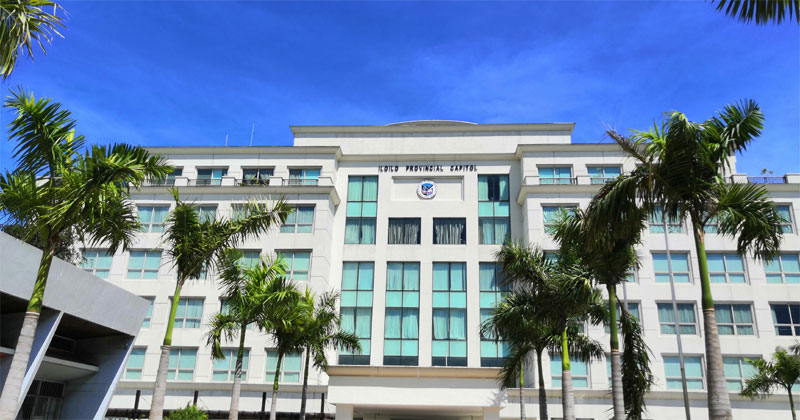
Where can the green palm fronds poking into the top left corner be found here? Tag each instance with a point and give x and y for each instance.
(24, 23)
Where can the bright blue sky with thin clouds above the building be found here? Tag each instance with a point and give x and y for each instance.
(190, 73)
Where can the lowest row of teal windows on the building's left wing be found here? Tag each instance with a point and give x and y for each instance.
(183, 362)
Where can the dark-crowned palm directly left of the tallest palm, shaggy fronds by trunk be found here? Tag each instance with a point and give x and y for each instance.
(609, 256)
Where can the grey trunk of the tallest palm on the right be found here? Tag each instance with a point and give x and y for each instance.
(719, 404)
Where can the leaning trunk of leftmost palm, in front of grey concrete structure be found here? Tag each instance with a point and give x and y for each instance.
(12, 388)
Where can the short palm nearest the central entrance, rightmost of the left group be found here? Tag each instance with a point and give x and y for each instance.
(321, 332)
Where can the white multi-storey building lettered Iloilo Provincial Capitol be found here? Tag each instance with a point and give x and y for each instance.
(404, 219)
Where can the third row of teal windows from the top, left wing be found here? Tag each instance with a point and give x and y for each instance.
(147, 264)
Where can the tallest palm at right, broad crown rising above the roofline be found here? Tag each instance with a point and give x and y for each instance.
(682, 170)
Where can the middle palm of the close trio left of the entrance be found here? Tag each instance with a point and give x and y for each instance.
(285, 323)
